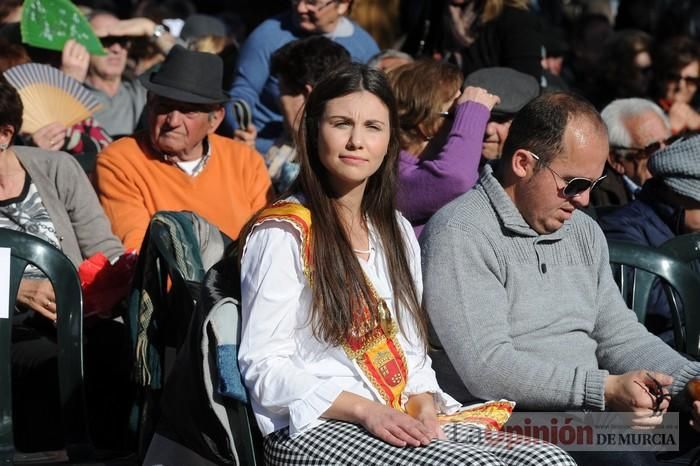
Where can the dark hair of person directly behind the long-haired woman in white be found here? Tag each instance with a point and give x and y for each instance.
(307, 60)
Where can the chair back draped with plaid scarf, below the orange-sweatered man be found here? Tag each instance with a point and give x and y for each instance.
(176, 250)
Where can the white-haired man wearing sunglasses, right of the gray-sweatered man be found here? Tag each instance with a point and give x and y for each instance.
(637, 129)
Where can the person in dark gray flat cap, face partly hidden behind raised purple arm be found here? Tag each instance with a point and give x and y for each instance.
(514, 89)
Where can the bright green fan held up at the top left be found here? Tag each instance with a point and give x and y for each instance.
(50, 23)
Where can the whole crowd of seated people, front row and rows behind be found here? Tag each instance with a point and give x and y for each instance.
(432, 216)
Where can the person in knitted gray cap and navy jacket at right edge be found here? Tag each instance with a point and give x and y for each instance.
(668, 205)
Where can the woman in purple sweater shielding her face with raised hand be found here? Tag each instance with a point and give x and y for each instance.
(441, 129)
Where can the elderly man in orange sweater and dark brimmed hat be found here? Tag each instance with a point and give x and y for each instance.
(178, 163)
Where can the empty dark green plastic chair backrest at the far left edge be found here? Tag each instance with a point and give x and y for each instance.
(28, 249)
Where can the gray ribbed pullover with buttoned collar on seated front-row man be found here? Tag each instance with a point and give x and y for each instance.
(533, 318)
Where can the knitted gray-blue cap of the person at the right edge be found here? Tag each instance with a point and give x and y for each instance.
(678, 166)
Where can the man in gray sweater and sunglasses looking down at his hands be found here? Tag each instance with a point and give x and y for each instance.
(518, 286)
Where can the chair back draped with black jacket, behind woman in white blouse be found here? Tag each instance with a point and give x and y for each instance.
(195, 415)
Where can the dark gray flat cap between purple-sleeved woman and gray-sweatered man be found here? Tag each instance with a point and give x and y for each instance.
(513, 87)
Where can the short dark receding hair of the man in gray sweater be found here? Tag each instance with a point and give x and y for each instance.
(540, 125)
